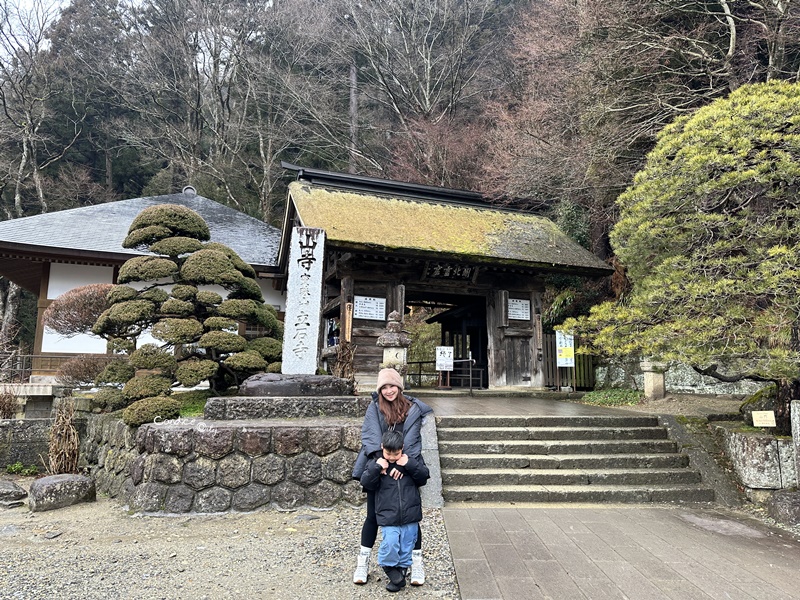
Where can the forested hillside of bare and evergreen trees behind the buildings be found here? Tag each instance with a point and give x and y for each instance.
(547, 104)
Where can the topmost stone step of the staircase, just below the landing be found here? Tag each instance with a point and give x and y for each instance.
(546, 421)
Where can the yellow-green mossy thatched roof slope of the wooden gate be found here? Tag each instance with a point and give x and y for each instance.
(487, 235)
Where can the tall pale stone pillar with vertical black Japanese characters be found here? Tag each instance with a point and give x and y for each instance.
(303, 301)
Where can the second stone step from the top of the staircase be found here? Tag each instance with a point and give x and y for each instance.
(550, 433)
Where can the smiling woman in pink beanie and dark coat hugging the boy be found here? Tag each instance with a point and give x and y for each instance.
(389, 410)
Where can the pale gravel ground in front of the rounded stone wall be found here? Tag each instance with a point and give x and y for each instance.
(98, 550)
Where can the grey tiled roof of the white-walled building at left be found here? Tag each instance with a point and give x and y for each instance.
(102, 228)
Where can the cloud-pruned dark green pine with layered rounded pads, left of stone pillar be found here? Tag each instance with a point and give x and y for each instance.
(175, 294)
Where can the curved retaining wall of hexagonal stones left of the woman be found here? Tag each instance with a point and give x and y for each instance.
(193, 465)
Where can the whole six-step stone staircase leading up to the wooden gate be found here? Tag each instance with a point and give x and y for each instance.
(618, 459)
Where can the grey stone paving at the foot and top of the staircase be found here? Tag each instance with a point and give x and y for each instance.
(634, 552)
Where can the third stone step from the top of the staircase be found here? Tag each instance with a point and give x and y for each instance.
(557, 447)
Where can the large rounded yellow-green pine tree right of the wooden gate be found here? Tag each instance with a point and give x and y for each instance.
(708, 235)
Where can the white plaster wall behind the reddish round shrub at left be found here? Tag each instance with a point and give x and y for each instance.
(64, 277)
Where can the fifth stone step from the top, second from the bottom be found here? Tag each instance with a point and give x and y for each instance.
(526, 477)
